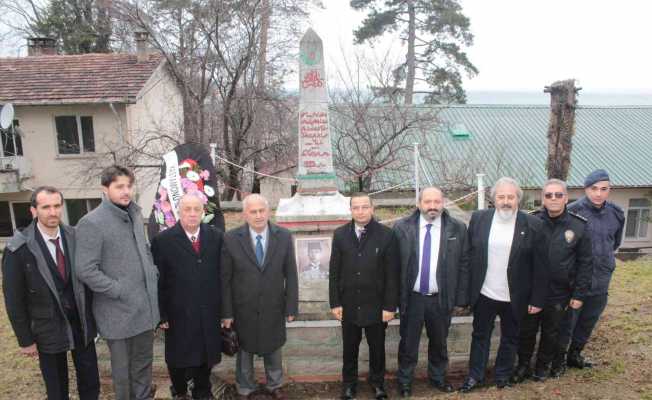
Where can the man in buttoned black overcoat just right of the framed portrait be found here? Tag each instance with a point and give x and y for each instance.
(363, 287)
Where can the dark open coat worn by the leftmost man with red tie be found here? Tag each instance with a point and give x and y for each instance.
(34, 299)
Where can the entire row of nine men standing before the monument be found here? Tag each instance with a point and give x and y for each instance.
(545, 271)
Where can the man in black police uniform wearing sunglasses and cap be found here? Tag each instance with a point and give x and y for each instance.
(569, 275)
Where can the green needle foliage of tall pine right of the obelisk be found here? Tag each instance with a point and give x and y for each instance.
(442, 32)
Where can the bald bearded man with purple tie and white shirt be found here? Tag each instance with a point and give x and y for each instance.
(431, 244)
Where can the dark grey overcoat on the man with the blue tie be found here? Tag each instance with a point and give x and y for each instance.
(259, 300)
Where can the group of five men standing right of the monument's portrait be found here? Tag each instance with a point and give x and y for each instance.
(548, 271)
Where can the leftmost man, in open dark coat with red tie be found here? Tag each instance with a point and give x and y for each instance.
(48, 307)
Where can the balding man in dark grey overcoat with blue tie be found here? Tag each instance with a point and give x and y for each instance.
(260, 292)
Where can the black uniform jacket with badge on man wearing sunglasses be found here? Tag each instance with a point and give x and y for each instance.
(569, 256)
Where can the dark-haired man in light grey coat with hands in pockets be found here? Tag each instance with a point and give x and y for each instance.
(114, 261)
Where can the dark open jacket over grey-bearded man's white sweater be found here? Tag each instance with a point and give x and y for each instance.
(527, 272)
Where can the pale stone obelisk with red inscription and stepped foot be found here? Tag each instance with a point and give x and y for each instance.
(317, 205)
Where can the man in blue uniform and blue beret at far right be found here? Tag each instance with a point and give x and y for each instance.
(605, 224)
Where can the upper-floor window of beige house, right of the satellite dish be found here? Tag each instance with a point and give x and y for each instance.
(75, 134)
